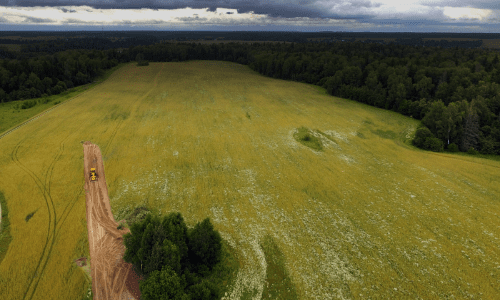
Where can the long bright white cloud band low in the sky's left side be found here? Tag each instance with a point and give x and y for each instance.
(86, 15)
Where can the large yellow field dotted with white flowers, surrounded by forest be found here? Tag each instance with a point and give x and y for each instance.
(368, 217)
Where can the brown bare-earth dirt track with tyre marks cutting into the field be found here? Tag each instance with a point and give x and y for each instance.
(112, 278)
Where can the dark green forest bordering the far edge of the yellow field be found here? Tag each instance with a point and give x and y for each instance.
(454, 91)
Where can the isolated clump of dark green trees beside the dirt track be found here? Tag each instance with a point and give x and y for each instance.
(175, 262)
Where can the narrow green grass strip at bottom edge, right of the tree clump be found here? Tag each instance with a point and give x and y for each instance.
(278, 284)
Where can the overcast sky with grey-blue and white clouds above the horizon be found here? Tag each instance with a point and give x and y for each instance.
(254, 15)
